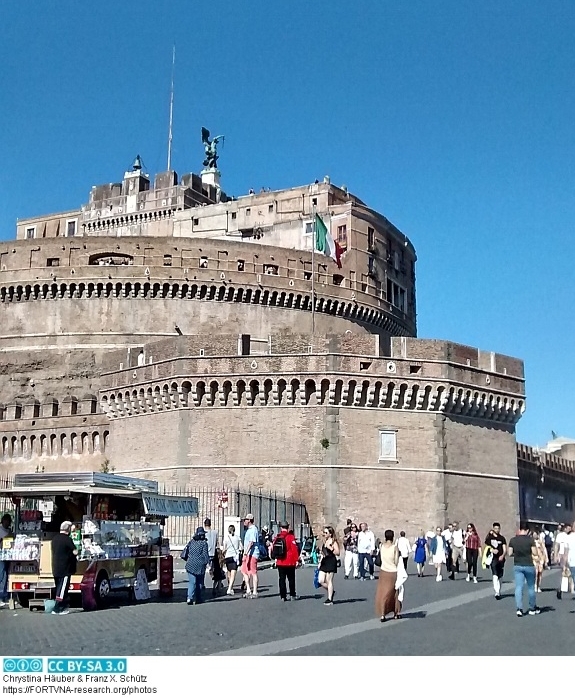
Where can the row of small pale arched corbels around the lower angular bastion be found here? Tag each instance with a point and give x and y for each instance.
(274, 391)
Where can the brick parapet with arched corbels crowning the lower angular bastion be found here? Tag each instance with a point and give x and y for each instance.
(290, 373)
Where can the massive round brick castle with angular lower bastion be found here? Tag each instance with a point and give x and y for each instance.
(171, 331)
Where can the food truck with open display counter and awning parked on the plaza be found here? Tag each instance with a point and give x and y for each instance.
(117, 529)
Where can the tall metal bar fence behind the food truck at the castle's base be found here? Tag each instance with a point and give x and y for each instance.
(268, 510)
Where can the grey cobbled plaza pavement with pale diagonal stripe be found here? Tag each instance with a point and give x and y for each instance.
(454, 618)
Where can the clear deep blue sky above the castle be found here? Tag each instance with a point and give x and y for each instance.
(454, 118)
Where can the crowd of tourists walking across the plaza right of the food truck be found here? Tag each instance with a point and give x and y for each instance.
(452, 550)
